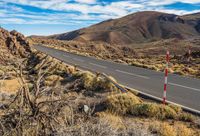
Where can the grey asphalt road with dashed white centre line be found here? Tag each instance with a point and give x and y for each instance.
(181, 90)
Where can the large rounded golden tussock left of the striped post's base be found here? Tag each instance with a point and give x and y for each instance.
(122, 103)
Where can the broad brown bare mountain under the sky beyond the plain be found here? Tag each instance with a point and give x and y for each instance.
(138, 28)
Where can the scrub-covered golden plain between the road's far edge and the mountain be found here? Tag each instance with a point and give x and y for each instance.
(147, 55)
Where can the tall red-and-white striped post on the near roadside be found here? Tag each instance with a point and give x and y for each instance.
(166, 74)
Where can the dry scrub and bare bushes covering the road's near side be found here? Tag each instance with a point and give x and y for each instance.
(58, 99)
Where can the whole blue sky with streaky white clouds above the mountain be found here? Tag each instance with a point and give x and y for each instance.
(46, 17)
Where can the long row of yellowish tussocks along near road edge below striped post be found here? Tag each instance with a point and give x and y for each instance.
(128, 103)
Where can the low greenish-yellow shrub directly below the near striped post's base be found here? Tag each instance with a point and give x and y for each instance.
(153, 110)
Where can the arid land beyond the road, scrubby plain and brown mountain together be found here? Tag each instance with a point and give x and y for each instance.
(140, 39)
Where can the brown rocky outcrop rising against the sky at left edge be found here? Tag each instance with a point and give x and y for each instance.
(13, 43)
